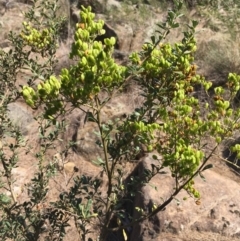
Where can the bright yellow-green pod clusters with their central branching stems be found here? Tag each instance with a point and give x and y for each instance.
(171, 121)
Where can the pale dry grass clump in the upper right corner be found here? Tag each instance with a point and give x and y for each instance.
(218, 41)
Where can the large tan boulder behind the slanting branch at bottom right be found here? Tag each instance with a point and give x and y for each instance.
(218, 212)
